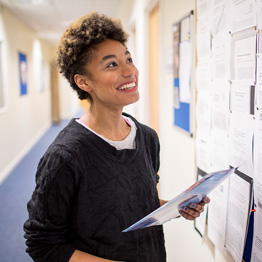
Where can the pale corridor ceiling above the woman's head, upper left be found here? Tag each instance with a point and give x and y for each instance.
(51, 17)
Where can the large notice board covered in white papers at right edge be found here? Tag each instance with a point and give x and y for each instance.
(229, 120)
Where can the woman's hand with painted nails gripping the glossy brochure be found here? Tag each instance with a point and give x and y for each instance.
(194, 210)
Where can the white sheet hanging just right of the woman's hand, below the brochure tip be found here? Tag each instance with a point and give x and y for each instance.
(217, 215)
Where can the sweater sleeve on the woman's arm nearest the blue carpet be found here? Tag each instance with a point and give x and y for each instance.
(46, 229)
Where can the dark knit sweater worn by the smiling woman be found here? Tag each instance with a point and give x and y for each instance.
(87, 192)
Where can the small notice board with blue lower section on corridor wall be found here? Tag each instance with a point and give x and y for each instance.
(183, 54)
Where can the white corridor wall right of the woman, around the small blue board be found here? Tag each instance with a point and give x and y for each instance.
(177, 149)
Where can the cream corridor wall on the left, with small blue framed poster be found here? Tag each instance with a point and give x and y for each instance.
(25, 118)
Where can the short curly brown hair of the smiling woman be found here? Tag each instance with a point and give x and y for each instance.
(78, 42)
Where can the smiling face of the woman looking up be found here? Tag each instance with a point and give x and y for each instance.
(113, 78)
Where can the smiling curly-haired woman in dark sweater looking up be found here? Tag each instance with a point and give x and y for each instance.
(99, 176)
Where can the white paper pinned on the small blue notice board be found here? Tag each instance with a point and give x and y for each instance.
(185, 64)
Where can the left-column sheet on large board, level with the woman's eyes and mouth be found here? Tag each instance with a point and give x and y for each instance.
(203, 75)
